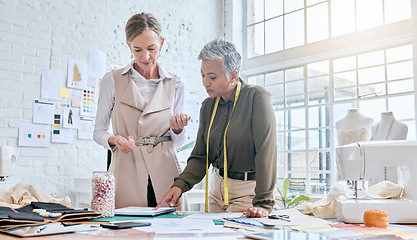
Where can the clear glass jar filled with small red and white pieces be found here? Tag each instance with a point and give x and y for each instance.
(103, 193)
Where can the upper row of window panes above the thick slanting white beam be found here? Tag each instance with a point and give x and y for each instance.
(275, 25)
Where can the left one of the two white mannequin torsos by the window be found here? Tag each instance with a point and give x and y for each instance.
(354, 127)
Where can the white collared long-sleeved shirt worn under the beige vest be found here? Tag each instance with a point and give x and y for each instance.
(146, 88)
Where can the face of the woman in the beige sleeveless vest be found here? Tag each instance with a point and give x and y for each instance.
(145, 48)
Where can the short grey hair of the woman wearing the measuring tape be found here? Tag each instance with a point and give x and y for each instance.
(221, 49)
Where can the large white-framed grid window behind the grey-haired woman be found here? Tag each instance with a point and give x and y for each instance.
(319, 58)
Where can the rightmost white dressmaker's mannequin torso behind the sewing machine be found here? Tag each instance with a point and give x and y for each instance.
(389, 129)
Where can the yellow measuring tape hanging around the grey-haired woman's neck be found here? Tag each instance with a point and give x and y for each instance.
(226, 192)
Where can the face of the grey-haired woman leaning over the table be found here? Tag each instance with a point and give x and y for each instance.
(215, 80)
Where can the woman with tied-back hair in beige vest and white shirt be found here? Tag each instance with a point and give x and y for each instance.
(144, 103)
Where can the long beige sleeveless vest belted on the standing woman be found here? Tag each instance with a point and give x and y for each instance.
(132, 116)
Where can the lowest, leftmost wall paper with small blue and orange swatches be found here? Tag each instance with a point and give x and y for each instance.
(34, 135)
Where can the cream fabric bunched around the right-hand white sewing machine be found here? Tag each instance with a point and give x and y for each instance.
(325, 207)
